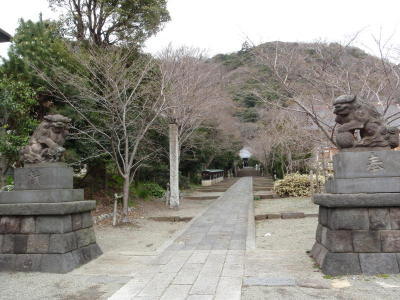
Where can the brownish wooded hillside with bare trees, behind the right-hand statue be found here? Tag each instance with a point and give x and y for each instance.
(283, 94)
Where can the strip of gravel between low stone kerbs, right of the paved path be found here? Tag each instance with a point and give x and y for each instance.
(295, 204)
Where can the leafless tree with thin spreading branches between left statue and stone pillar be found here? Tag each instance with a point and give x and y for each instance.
(118, 100)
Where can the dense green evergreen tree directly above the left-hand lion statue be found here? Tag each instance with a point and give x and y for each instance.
(36, 46)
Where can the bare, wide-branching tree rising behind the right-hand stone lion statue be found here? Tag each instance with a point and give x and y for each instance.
(307, 77)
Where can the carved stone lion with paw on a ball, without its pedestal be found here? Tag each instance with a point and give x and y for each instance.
(352, 115)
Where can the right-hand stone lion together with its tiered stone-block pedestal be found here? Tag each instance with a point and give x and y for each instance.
(359, 213)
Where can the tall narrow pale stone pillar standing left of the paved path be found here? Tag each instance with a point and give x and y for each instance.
(173, 166)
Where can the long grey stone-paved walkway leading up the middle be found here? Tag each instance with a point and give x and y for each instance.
(204, 262)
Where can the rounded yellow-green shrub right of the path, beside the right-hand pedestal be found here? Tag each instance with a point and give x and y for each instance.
(295, 185)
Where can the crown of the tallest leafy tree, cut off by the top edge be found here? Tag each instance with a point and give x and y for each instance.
(112, 22)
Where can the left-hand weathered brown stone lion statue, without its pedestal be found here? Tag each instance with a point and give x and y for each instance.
(46, 143)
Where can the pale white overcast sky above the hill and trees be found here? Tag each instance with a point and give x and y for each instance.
(221, 26)
